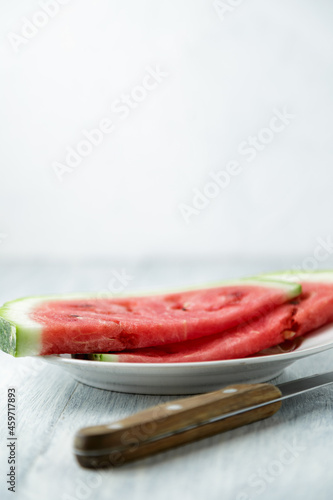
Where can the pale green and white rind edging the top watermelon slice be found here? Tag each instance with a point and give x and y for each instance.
(21, 336)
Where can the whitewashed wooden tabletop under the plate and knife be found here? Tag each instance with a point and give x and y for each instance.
(287, 456)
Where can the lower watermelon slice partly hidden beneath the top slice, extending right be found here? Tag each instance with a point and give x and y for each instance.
(311, 310)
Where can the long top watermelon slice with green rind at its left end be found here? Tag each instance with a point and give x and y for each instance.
(88, 323)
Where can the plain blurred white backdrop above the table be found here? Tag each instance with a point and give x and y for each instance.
(225, 78)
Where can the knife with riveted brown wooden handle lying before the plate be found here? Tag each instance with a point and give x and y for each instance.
(185, 420)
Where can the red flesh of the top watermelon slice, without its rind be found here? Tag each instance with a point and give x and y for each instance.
(118, 324)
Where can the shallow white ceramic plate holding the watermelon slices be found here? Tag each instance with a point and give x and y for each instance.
(189, 378)
